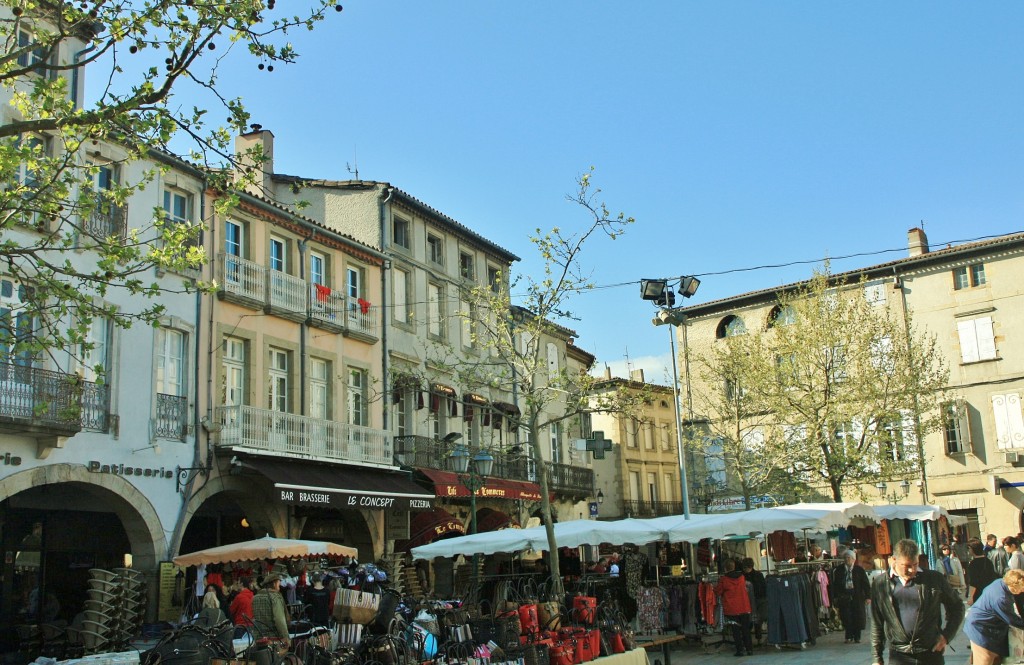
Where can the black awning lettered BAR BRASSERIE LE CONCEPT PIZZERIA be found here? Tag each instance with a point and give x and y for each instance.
(342, 487)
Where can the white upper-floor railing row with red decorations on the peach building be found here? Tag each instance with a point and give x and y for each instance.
(289, 297)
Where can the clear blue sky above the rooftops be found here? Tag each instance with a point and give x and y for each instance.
(738, 134)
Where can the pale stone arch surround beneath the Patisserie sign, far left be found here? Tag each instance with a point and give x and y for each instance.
(141, 521)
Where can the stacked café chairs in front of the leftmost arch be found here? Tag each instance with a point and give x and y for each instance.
(113, 613)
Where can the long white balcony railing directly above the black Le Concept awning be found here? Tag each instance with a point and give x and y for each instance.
(287, 434)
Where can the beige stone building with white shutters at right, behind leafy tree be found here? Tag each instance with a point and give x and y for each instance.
(970, 298)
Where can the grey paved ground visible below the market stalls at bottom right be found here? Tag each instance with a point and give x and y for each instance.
(830, 650)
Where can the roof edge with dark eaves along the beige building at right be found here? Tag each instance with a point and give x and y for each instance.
(889, 269)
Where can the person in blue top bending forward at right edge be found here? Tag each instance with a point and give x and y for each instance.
(990, 619)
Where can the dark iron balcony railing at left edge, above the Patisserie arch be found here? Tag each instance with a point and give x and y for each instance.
(30, 396)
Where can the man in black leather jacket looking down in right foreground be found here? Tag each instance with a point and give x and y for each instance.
(907, 611)
